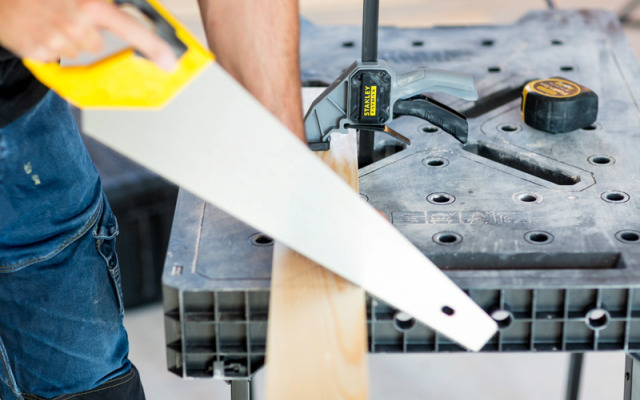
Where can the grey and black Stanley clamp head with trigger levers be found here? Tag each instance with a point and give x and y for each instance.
(368, 95)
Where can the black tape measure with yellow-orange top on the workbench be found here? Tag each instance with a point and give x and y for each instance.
(558, 105)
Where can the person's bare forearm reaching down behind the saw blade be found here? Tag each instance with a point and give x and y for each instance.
(257, 42)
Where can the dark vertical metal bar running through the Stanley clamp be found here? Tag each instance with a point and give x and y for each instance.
(369, 54)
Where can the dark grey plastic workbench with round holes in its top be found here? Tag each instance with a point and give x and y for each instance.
(542, 230)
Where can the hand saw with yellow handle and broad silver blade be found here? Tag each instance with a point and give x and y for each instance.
(200, 129)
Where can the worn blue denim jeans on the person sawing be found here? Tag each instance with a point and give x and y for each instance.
(61, 306)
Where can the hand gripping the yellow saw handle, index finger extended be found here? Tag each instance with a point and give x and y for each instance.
(47, 30)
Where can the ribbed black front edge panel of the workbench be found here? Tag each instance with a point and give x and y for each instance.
(223, 334)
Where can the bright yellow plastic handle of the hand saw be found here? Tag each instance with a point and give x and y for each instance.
(125, 79)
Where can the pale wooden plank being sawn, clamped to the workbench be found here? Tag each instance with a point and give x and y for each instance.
(317, 336)
